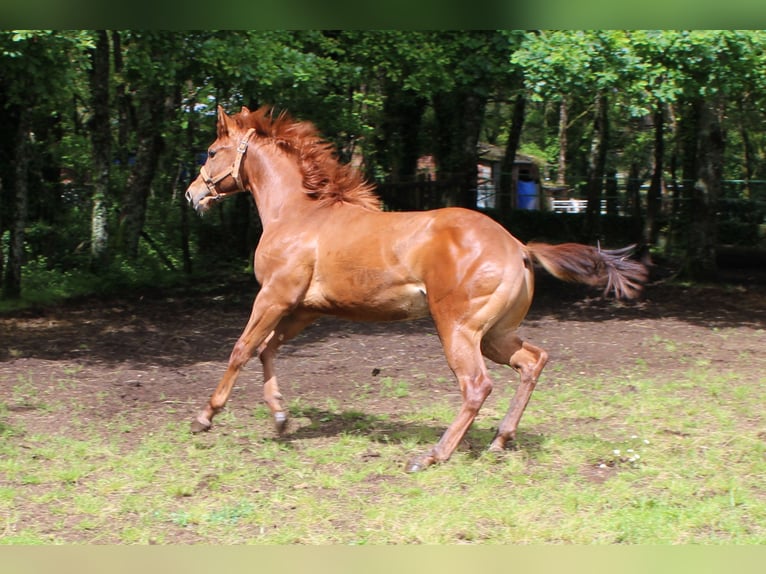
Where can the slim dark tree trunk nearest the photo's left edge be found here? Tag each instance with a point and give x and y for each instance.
(12, 280)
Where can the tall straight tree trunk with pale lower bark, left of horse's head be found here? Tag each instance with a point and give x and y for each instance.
(101, 140)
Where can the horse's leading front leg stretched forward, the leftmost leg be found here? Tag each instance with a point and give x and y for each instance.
(267, 312)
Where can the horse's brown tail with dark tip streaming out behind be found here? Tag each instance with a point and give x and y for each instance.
(612, 270)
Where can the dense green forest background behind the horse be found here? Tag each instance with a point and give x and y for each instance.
(662, 132)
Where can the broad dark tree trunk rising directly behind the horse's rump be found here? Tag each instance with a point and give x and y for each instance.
(459, 116)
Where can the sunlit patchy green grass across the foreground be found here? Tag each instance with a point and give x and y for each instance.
(619, 459)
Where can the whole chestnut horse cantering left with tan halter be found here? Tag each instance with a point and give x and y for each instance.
(328, 249)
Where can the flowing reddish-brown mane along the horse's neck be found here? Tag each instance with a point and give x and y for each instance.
(324, 177)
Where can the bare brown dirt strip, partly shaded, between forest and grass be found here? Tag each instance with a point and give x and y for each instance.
(134, 356)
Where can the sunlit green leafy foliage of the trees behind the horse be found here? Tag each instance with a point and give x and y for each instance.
(167, 84)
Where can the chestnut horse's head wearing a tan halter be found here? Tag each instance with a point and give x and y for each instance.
(220, 175)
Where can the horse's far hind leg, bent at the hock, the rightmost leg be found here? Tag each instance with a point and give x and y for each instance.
(528, 360)
